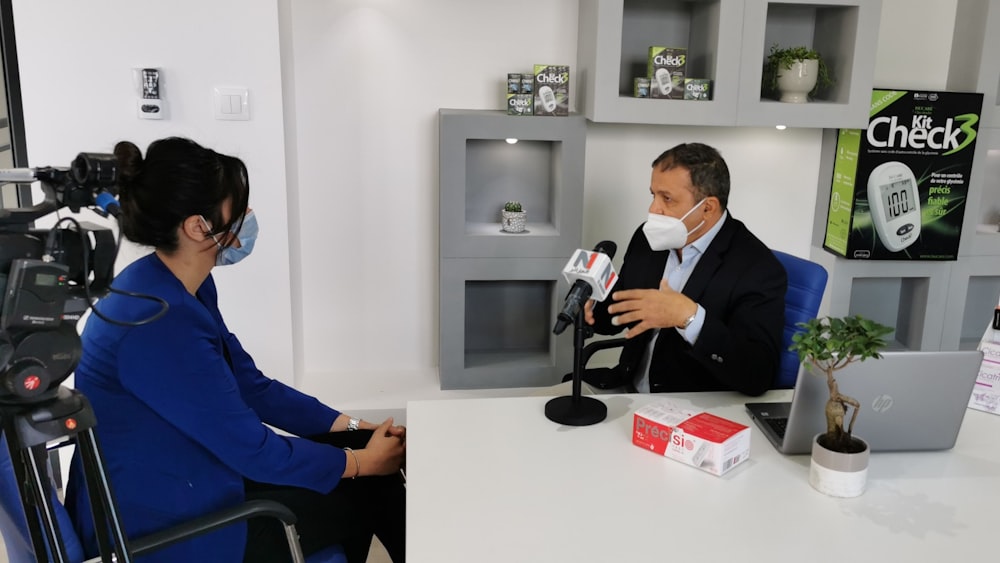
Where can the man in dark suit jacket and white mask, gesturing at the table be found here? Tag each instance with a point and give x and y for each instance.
(702, 298)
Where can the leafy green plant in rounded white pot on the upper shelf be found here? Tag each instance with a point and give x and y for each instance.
(795, 74)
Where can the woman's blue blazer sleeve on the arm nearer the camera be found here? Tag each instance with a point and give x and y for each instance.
(176, 367)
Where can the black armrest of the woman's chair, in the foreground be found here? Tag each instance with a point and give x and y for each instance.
(211, 522)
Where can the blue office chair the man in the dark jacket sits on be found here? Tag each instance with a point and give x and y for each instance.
(806, 284)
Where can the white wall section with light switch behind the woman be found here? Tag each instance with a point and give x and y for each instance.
(76, 61)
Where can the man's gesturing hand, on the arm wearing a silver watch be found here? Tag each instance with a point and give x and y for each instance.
(651, 308)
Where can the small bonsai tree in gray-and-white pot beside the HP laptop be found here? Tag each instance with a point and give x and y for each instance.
(839, 464)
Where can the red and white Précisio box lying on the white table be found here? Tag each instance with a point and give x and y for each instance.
(709, 442)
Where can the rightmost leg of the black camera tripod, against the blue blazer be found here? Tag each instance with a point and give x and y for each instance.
(107, 522)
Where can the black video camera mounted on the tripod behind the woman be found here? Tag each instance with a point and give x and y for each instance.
(50, 277)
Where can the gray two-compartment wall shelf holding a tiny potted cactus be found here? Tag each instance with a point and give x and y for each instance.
(499, 292)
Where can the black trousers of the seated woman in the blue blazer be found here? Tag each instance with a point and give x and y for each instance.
(348, 515)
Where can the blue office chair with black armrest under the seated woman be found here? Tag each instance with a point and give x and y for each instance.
(17, 539)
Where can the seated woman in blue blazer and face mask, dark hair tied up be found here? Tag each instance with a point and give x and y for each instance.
(184, 414)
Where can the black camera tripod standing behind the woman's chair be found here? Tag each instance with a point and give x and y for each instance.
(28, 427)
